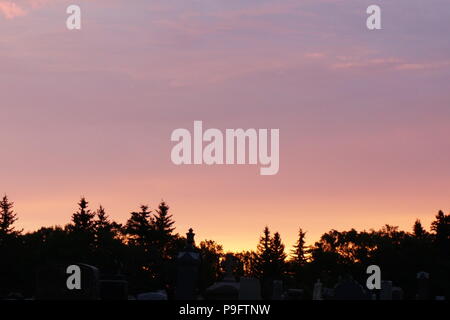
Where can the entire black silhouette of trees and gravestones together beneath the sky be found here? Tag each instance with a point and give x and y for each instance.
(145, 259)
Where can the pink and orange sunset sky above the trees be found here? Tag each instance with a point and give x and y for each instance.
(363, 115)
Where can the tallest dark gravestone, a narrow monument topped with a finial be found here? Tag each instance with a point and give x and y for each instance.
(188, 263)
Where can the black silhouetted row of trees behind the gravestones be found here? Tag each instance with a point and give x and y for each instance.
(145, 248)
